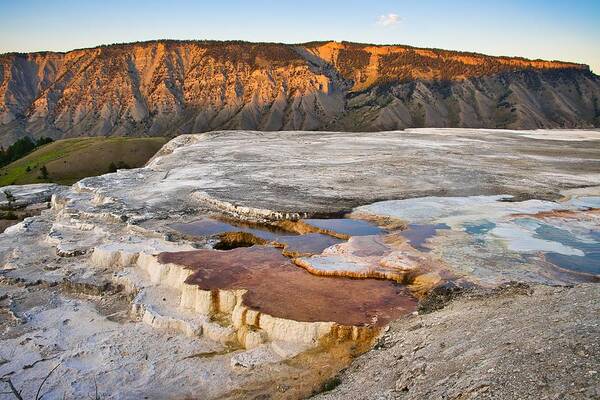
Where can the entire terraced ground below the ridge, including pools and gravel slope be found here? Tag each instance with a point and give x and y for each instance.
(262, 265)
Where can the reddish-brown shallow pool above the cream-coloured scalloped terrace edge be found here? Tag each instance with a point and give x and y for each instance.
(277, 287)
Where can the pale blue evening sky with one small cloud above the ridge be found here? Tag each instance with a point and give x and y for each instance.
(566, 30)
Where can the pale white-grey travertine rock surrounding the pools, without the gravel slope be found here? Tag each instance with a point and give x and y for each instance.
(100, 312)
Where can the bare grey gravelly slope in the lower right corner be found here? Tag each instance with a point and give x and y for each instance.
(517, 342)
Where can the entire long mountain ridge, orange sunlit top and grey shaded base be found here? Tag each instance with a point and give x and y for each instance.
(170, 87)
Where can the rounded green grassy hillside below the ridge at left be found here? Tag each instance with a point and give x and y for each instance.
(70, 160)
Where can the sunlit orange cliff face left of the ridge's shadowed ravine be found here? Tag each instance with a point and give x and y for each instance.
(157, 77)
